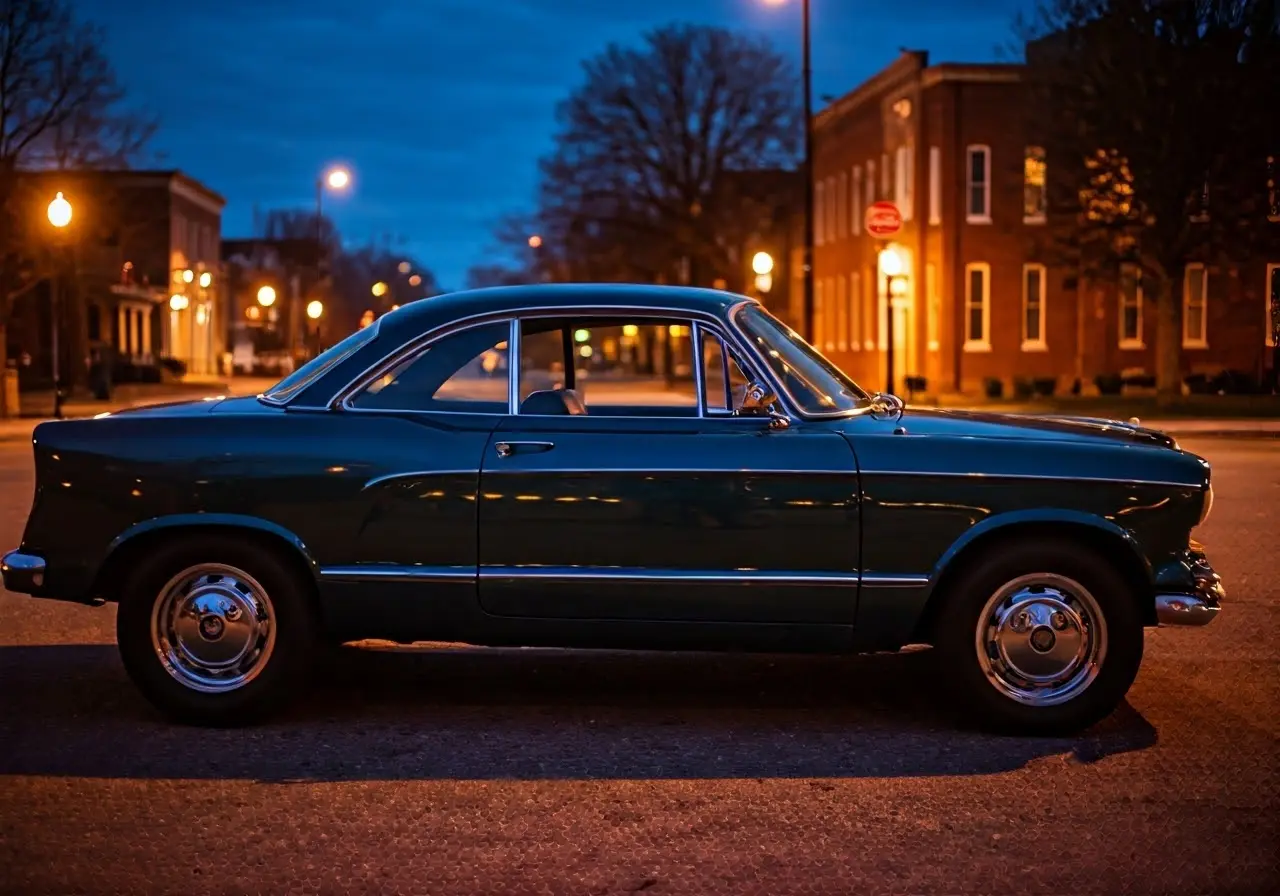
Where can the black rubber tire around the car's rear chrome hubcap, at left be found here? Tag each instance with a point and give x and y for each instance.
(286, 665)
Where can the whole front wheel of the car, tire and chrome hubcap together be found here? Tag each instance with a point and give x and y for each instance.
(1040, 638)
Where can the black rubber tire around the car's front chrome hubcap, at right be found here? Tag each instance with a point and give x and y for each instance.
(982, 696)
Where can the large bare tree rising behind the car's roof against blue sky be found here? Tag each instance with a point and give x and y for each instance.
(646, 181)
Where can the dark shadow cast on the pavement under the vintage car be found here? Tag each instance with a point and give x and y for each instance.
(464, 714)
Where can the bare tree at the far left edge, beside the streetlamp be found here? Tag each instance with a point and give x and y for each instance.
(61, 107)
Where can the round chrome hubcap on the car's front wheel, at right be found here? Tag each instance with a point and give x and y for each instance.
(1041, 639)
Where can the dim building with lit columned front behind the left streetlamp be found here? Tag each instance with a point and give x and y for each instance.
(140, 273)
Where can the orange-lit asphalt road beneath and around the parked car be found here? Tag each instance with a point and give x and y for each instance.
(456, 771)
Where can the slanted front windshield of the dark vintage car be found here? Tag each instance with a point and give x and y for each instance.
(813, 383)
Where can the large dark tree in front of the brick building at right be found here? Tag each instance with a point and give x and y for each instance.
(1151, 115)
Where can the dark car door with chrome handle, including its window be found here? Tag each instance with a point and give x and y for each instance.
(657, 504)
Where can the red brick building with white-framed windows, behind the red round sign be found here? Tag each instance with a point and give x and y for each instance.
(977, 300)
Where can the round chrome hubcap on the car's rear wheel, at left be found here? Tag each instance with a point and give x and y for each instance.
(213, 628)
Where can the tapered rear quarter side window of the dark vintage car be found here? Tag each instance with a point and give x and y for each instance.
(464, 373)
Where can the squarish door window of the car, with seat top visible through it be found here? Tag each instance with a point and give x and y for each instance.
(619, 367)
